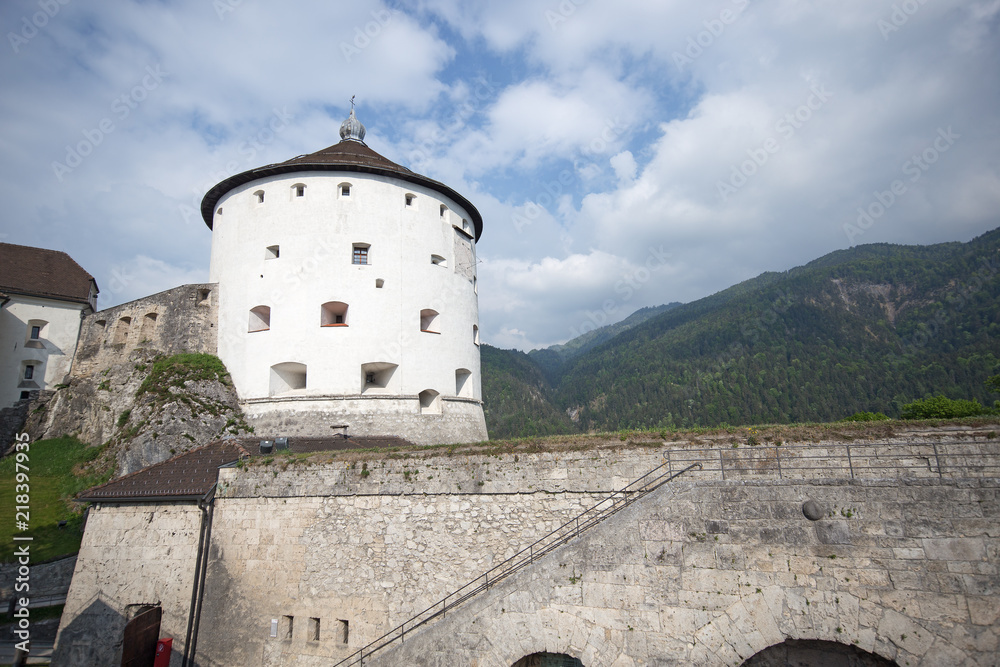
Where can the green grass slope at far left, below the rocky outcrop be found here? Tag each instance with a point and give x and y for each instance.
(52, 484)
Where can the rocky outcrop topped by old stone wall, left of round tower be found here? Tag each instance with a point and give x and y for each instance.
(144, 381)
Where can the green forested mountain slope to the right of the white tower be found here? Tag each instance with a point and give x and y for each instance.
(869, 328)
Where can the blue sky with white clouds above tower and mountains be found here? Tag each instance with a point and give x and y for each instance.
(623, 154)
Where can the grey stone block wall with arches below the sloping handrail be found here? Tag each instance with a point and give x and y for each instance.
(712, 573)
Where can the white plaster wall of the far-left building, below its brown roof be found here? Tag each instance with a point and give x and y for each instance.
(52, 358)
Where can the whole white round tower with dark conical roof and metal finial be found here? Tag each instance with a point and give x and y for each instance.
(347, 297)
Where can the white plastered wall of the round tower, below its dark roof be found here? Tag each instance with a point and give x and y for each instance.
(315, 235)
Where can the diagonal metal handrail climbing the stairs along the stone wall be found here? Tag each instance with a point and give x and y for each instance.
(549, 542)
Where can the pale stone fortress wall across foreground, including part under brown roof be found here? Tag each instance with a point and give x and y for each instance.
(309, 563)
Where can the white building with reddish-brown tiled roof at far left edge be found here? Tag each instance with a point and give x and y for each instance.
(43, 296)
